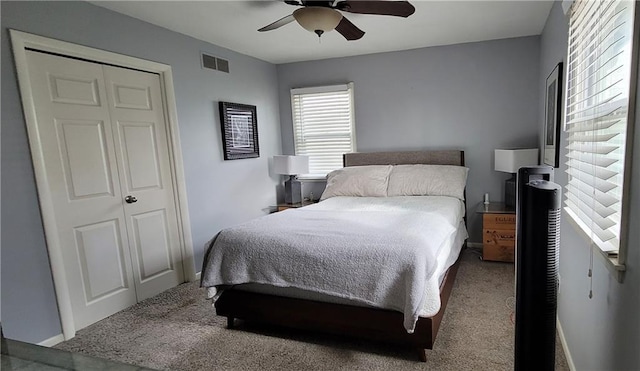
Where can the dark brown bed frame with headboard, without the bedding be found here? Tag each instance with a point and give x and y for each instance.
(348, 320)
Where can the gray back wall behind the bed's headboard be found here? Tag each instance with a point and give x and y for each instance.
(476, 97)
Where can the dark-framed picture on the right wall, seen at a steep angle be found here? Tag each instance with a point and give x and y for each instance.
(553, 117)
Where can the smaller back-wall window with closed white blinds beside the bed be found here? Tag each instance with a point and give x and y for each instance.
(323, 126)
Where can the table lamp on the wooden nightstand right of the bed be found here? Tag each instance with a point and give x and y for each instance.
(509, 161)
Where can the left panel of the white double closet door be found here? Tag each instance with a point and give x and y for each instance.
(75, 131)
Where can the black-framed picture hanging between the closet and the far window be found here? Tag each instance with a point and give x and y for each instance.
(239, 130)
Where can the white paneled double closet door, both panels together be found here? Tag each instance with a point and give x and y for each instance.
(103, 136)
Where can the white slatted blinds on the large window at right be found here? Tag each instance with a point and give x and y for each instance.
(597, 102)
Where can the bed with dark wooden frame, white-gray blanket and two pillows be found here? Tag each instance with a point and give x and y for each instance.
(405, 305)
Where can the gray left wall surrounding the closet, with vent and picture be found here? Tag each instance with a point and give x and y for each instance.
(221, 193)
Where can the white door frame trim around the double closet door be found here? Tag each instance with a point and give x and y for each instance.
(20, 42)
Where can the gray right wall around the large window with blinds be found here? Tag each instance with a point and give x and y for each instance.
(603, 333)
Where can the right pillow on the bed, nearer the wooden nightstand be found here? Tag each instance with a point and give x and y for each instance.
(428, 180)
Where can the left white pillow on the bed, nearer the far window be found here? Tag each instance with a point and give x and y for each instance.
(363, 181)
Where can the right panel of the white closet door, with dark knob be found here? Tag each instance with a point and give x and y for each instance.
(140, 132)
